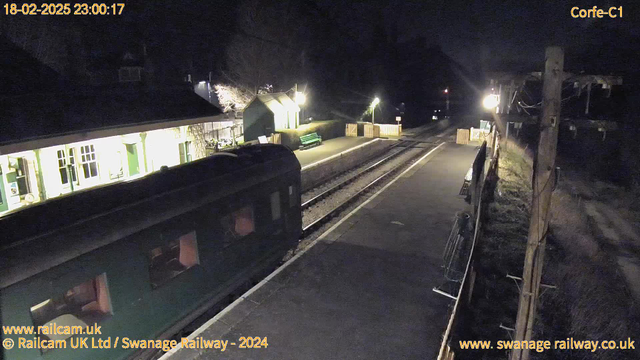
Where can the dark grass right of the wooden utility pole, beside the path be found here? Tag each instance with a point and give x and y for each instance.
(592, 298)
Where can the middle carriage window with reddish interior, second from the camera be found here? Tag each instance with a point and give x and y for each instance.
(172, 259)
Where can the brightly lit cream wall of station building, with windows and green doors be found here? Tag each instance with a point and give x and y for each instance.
(58, 170)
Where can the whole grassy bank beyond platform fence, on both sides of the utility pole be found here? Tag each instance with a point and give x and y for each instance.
(591, 301)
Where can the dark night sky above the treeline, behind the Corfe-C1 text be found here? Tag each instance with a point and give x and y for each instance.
(487, 33)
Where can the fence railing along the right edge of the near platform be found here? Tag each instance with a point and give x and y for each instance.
(483, 180)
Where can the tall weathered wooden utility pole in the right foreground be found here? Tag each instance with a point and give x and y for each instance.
(543, 182)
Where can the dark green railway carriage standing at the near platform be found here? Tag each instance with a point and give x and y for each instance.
(144, 258)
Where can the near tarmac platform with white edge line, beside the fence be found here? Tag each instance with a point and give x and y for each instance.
(363, 289)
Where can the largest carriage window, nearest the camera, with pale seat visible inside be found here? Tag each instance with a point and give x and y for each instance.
(81, 306)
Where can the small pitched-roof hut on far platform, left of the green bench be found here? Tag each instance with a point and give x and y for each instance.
(269, 113)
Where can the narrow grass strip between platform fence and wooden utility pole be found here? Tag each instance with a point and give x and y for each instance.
(500, 252)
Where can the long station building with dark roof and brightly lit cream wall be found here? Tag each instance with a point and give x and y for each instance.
(53, 144)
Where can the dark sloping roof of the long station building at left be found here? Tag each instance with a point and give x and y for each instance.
(41, 116)
